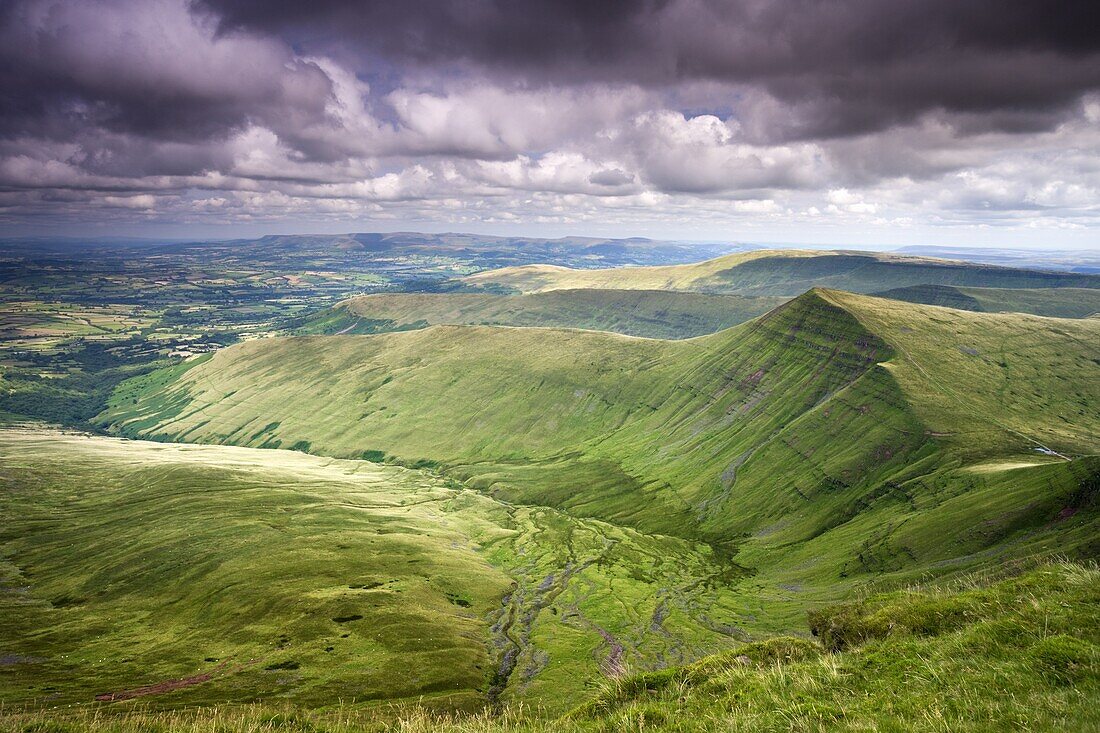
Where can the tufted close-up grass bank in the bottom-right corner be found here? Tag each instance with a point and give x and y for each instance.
(1021, 654)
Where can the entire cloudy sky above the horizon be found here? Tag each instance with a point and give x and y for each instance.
(821, 122)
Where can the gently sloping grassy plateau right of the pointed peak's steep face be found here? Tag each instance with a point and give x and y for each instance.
(989, 382)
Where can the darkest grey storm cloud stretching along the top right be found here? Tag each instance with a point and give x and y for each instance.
(845, 68)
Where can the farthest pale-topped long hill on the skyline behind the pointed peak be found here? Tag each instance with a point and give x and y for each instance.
(782, 273)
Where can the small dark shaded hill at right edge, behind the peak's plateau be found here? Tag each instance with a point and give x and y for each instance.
(1059, 303)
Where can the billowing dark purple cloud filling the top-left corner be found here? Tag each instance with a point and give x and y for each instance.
(144, 70)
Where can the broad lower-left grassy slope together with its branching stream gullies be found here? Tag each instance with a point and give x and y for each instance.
(177, 575)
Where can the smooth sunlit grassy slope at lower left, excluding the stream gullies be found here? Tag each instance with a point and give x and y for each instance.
(128, 565)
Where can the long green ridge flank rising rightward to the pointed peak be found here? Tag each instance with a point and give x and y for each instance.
(595, 396)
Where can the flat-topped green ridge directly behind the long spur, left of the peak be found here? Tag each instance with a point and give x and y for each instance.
(656, 314)
